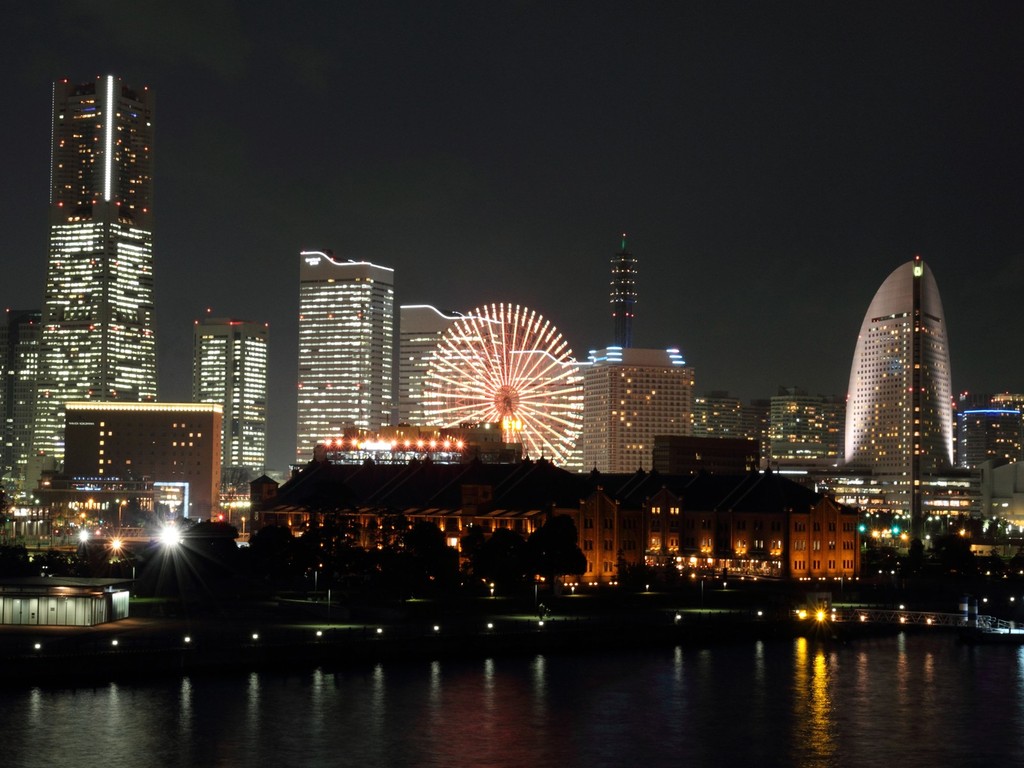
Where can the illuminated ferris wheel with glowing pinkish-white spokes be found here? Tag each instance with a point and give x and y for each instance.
(506, 364)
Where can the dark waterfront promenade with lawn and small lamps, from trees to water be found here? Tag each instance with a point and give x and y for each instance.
(284, 635)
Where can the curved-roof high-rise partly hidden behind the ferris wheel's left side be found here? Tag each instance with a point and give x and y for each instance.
(420, 328)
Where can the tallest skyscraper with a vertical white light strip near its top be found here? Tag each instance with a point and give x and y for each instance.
(98, 334)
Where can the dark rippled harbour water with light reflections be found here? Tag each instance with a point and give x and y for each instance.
(907, 701)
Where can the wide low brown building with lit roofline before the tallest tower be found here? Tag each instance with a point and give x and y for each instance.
(169, 450)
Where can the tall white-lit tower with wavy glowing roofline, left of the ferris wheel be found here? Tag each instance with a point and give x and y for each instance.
(347, 322)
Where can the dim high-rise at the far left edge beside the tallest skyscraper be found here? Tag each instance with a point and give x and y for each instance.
(20, 371)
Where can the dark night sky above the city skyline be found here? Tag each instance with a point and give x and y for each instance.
(773, 164)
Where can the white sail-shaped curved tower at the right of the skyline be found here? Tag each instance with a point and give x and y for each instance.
(900, 407)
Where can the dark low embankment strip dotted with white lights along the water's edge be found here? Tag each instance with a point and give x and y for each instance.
(142, 650)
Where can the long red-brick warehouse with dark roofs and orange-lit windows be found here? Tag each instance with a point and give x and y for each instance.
(756, 524)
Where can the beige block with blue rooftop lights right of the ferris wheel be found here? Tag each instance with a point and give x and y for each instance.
(631, 396)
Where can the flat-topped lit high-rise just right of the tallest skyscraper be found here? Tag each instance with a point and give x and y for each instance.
(230, 368)
